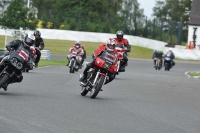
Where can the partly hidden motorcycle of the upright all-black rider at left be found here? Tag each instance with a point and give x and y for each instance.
(31, 64)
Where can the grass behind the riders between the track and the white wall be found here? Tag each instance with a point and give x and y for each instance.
(61, 47)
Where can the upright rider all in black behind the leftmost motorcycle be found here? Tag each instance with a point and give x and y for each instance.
(39, 45)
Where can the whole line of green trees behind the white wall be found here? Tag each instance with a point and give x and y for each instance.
(97, 16)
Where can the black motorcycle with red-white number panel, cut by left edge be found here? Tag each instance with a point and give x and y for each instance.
(12, 65)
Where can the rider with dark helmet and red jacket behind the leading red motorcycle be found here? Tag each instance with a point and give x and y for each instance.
(123, 43)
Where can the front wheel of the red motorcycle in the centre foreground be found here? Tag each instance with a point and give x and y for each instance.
(95, 91)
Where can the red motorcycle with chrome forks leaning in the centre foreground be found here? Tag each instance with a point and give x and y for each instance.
(98, 75)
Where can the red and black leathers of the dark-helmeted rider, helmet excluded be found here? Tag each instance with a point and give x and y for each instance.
(123, 43)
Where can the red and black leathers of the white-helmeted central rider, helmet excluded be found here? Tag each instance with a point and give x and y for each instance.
(97, 53)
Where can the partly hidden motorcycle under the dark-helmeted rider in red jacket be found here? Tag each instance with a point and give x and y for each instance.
(120, 52)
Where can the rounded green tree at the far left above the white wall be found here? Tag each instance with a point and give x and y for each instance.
(17, 16)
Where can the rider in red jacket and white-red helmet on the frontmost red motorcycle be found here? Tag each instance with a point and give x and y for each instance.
(110, 46)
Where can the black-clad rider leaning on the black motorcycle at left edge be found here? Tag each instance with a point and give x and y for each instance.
(14, 45)
